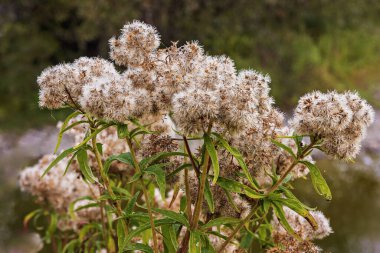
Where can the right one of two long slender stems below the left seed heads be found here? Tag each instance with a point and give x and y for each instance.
(146, 196)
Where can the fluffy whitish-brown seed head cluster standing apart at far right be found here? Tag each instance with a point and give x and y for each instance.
(340, 119)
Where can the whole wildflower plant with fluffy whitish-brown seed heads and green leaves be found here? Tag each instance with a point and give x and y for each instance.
(176, 151)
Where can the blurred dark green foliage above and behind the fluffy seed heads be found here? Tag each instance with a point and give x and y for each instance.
(302, 44)
